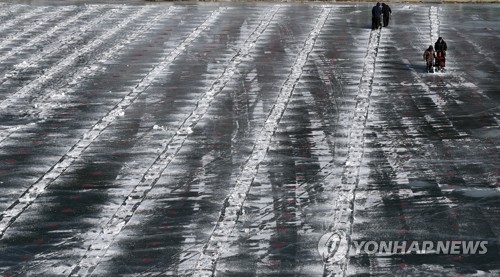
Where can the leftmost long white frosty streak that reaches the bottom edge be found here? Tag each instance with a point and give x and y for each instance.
(100, 244)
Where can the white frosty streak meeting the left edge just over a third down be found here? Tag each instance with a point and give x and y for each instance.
(70, 60)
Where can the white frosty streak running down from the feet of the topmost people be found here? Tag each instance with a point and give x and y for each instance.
(336, 262)
